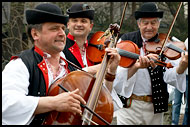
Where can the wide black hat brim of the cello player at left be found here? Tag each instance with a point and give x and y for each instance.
(37, 17)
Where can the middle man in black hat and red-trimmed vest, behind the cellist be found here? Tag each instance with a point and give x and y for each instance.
(79, 25)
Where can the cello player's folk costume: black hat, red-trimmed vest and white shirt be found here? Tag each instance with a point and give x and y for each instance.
(31, 74)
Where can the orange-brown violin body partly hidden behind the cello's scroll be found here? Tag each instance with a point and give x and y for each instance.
(96, 55)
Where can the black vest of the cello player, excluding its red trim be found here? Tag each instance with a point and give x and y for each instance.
(37, 85)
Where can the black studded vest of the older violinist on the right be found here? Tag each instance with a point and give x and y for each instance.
(159, 87)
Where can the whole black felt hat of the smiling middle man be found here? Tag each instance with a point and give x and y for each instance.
(81, 11)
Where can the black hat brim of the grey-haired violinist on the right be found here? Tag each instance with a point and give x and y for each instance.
(140, 14)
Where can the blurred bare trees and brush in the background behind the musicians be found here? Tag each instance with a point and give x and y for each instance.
(14, 38)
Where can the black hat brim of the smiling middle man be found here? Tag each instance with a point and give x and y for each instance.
(82, 14)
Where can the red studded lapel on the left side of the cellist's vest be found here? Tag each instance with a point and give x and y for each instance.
(43, 67)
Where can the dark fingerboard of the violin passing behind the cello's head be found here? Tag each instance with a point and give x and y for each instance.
(127, 54)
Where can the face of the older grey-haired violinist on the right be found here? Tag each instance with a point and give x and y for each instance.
(148, 27)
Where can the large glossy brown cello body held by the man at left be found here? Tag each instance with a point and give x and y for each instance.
(84, 82)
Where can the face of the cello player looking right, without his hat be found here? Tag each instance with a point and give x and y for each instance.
(51, 38)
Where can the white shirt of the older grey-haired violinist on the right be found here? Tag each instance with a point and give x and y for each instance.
(140, 83)
